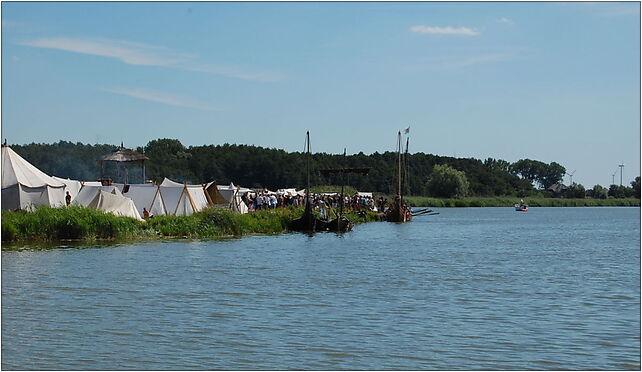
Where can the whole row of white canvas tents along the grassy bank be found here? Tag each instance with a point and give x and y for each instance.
(25, 186)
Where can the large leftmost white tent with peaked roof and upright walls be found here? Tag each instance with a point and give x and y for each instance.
(25, 186)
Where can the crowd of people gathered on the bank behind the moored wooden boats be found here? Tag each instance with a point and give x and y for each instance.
(321, 202)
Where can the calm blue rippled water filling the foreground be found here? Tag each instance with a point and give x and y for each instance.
(481, 288)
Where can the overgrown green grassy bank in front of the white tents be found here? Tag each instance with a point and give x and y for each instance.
(76, 223)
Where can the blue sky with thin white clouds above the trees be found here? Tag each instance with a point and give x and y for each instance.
(545, 81)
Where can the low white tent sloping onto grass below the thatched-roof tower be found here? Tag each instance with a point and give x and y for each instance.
(108, 199)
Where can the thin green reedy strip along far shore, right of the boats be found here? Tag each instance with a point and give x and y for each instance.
(422, 201)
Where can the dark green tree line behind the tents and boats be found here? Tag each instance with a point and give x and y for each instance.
(258, 167)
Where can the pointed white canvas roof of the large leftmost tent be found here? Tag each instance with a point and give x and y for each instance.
(16, 170)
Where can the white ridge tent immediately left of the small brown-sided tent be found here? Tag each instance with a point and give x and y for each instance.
(181, 199)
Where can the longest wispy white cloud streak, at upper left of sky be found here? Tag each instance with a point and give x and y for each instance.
(140, 54)
